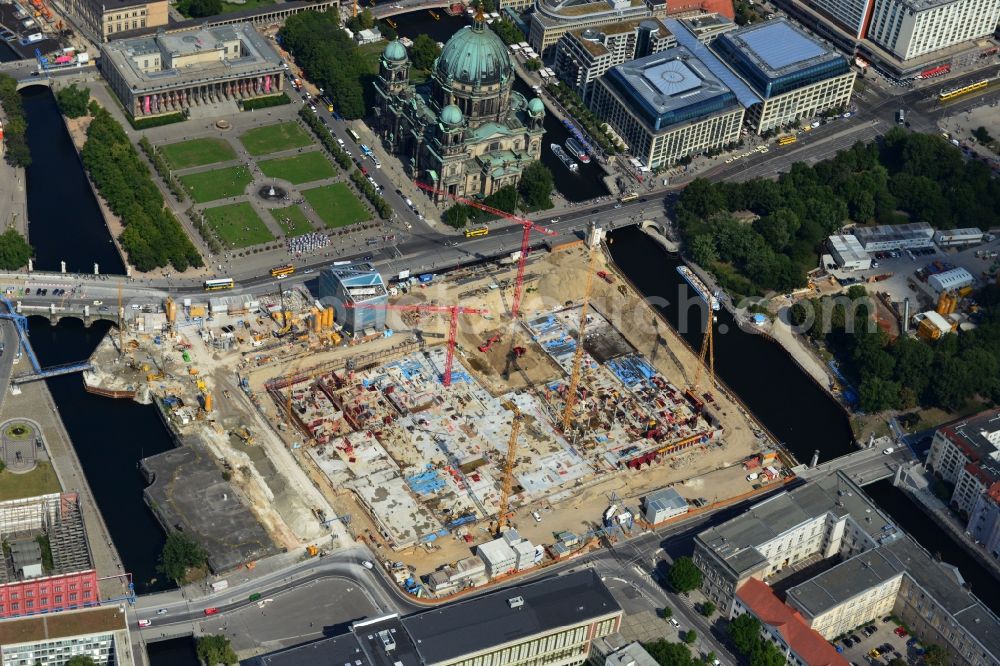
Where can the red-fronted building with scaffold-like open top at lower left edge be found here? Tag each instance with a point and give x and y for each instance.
(29, 583)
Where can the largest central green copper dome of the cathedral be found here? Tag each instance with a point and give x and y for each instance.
(475, 55)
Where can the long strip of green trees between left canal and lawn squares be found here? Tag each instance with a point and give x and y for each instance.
(153, 237)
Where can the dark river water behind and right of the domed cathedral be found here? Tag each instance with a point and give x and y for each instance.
(587, 182)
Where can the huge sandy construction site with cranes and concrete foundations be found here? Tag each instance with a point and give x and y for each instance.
(553, 400)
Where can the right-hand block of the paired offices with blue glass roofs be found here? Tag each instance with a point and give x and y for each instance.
(794, 75)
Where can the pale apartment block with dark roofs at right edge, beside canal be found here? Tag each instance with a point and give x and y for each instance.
(966, 454)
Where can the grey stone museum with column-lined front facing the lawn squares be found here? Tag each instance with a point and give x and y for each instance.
(175, 71)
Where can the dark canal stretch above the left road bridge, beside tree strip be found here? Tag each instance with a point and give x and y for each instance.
(65, 223)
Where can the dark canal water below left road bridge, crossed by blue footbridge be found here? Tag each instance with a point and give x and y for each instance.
(110, 437)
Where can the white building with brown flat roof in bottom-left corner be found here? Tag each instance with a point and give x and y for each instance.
(52, 640)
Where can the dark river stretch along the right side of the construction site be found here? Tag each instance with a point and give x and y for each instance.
(787, 401)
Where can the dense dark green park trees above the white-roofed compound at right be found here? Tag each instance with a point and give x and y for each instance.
(906, 177)
